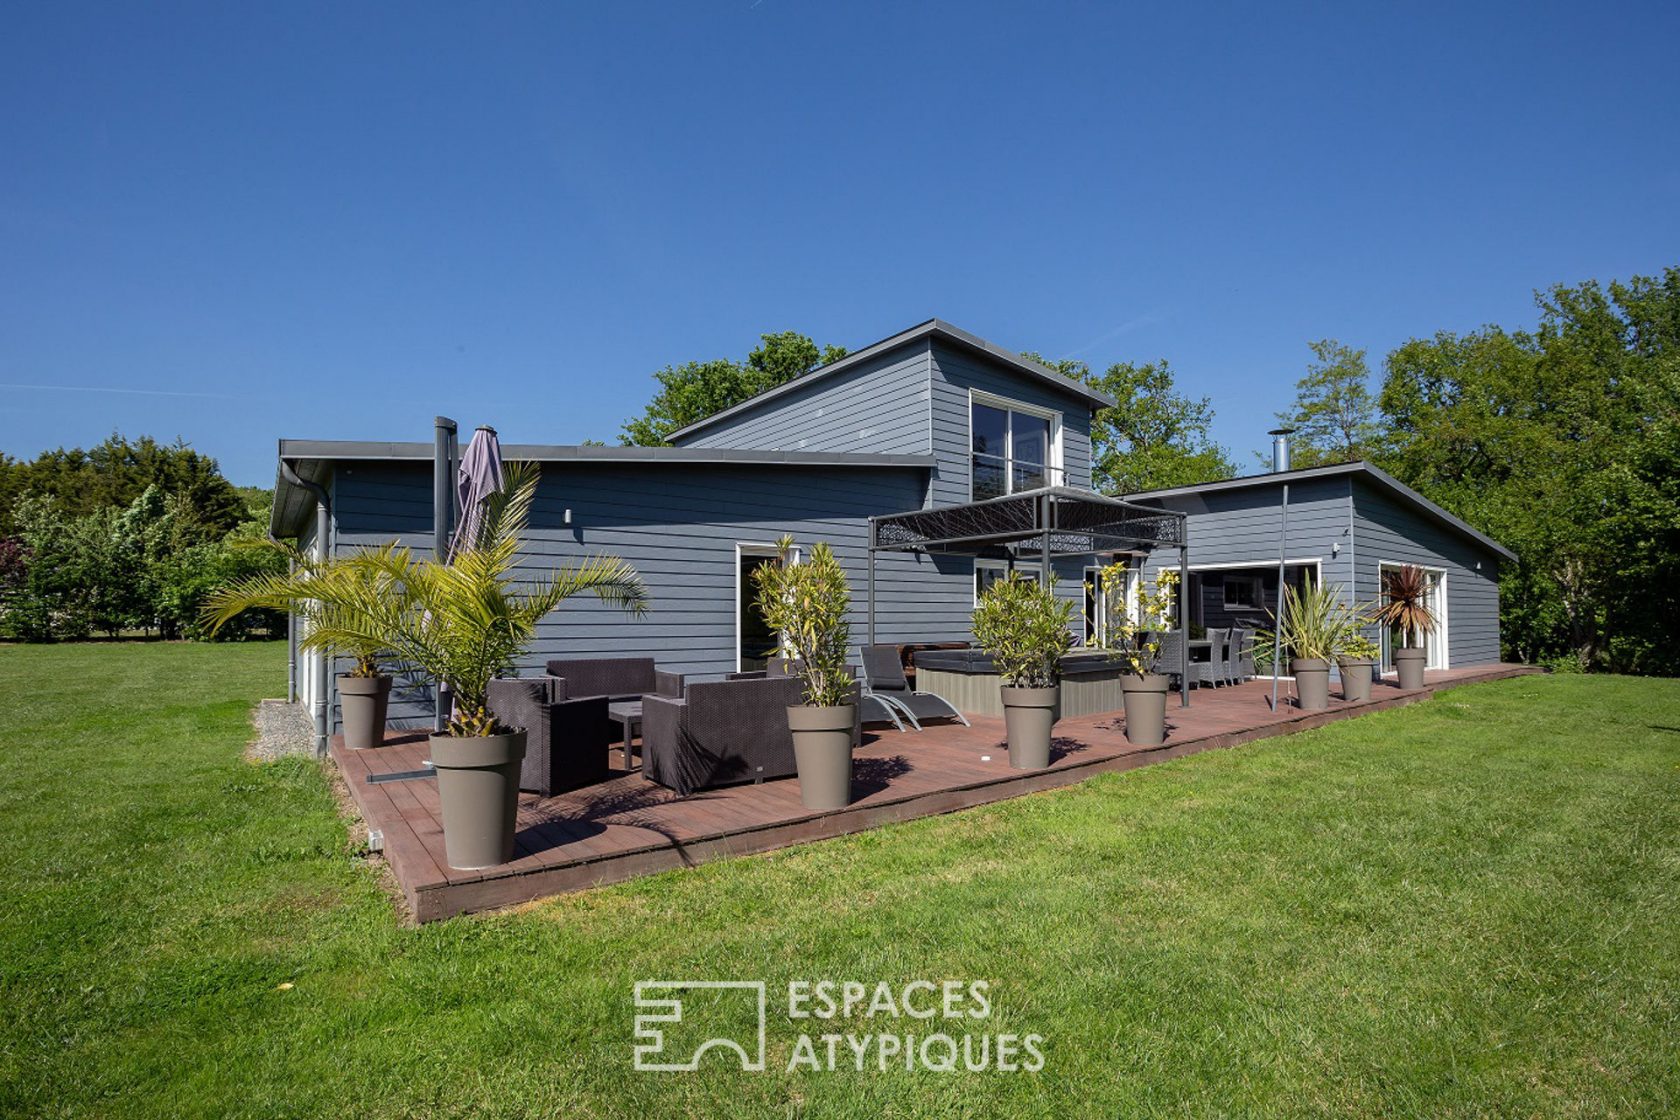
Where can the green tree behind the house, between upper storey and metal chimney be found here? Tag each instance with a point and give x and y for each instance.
(1153, 437)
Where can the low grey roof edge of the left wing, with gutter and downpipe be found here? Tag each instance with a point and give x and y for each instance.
(313, 459)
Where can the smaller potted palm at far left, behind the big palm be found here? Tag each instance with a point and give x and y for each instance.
(344, 607)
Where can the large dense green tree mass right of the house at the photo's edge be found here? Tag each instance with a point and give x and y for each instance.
(1565, 444)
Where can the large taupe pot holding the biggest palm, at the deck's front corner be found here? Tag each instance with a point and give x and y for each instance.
(478, 782)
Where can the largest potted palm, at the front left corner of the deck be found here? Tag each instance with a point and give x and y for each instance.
(465, 624)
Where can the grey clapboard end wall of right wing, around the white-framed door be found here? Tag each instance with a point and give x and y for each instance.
(1395, 531)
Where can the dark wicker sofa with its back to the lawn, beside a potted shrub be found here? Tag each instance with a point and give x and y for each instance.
(723, 733)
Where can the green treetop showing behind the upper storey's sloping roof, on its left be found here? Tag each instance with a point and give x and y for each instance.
(701, 389)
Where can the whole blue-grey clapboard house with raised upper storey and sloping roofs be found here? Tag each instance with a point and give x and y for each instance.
(925, 421)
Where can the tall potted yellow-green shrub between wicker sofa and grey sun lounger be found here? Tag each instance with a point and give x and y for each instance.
(806, 605)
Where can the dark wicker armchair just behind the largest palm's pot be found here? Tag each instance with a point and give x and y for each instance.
(565, 740)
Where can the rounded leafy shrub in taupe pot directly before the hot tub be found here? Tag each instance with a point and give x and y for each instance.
(1026, 631)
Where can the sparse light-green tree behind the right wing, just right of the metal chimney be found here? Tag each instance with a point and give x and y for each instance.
(1335, 414)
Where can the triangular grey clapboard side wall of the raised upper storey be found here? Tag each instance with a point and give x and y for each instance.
(878, 407)
